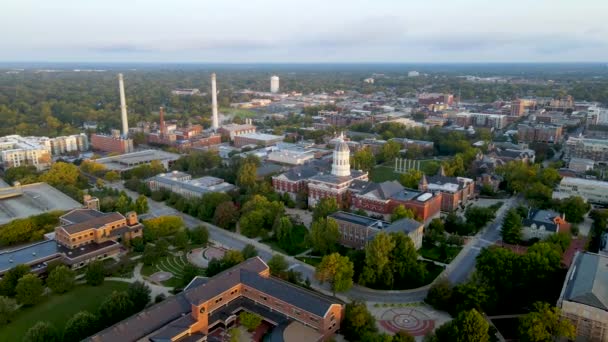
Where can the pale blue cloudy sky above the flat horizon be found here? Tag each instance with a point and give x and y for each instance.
(311, 31)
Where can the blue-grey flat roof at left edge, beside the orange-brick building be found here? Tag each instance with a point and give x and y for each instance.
(28, 255)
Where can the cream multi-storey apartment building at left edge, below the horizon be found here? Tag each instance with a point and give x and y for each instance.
(16, 150)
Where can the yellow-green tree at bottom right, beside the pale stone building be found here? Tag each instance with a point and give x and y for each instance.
(545, 323)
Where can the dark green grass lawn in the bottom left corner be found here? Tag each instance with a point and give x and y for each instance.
(57, 309)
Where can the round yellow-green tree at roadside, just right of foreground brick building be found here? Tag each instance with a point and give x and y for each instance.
(337, 270)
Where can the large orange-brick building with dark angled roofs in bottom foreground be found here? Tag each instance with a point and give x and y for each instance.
(206, 305)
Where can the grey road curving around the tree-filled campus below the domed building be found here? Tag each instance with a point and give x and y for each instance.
(457, 272)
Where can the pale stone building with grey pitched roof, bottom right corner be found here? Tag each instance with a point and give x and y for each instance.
(584, 299)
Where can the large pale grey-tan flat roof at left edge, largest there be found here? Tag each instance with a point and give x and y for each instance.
(33, 199)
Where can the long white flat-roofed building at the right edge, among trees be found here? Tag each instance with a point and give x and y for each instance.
(592, 191)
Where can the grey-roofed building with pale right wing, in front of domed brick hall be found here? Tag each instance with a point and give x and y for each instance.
(356, 230)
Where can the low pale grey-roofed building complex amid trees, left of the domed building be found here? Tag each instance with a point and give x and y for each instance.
(182, 184)
